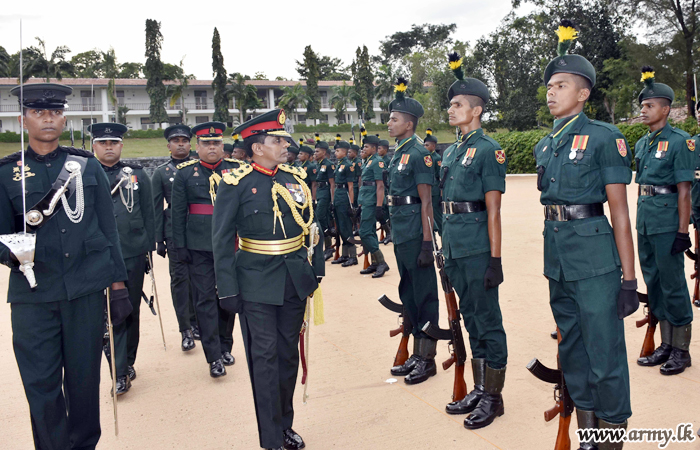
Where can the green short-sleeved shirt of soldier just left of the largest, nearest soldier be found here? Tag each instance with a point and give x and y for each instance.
(476, 165)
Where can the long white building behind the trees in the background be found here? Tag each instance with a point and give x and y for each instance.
(90, 103)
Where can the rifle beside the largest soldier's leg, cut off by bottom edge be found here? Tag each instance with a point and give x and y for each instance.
(564, 406)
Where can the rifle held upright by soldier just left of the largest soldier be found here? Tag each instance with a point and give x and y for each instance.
(458, 353)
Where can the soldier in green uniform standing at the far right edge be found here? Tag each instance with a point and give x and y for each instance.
(666, 161)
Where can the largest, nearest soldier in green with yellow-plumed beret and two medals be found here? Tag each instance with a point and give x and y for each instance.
(580, 165)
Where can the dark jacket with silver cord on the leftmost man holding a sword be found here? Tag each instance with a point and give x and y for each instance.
(71, 260)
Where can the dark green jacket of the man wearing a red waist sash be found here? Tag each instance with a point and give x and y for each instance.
(192, 186)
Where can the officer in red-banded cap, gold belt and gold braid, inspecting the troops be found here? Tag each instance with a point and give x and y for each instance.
(278, 265)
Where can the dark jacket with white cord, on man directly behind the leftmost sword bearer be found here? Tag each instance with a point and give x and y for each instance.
(136, 228)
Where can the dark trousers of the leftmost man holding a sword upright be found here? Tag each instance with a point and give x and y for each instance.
(58, 350)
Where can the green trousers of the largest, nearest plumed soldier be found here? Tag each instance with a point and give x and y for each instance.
(592, 350)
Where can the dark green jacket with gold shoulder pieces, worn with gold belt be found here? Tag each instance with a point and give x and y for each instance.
(244, 207)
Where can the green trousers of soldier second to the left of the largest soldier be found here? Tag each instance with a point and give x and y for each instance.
(418, 286)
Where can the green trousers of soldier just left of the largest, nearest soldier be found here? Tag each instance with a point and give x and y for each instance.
(480, 309)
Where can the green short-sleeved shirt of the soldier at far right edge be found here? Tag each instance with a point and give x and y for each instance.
(665, 157)
